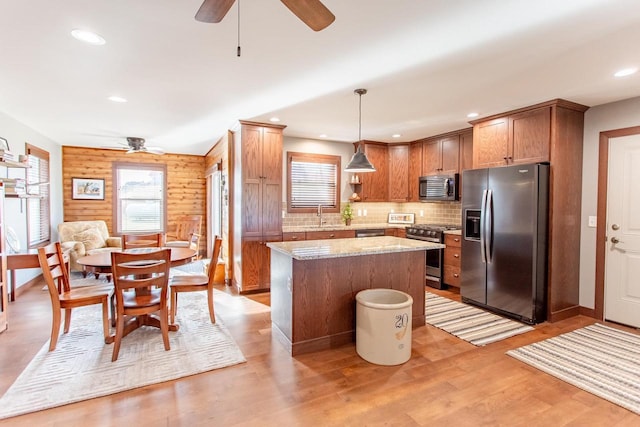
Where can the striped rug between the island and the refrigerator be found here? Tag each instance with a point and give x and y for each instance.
(479, 327)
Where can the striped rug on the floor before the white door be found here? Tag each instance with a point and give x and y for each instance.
(601, 360)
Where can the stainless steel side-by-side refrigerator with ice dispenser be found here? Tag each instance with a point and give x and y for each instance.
(504, 245)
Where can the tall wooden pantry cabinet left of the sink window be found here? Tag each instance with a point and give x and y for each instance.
(257, 202)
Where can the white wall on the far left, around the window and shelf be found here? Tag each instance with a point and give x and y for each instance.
(17, 134)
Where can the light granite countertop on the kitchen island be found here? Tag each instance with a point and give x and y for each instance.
(336, 248)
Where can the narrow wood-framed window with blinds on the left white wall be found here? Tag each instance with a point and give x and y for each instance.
(38, 204)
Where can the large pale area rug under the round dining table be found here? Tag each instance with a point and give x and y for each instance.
(80, 367)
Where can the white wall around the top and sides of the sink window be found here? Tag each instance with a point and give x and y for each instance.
(314, 146)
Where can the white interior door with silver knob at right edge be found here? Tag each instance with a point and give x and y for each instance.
(622, 259)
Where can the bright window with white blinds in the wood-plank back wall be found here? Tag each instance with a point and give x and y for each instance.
(140, 197)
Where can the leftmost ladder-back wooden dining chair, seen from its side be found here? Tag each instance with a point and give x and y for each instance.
(63, 297)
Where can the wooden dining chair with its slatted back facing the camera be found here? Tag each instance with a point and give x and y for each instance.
(141, 282)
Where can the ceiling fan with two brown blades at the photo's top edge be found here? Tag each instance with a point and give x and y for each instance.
(311, 12)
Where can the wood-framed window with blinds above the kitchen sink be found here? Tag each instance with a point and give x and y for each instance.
(313, 179)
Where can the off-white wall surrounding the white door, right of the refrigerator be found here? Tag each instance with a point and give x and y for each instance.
(617, 115)
